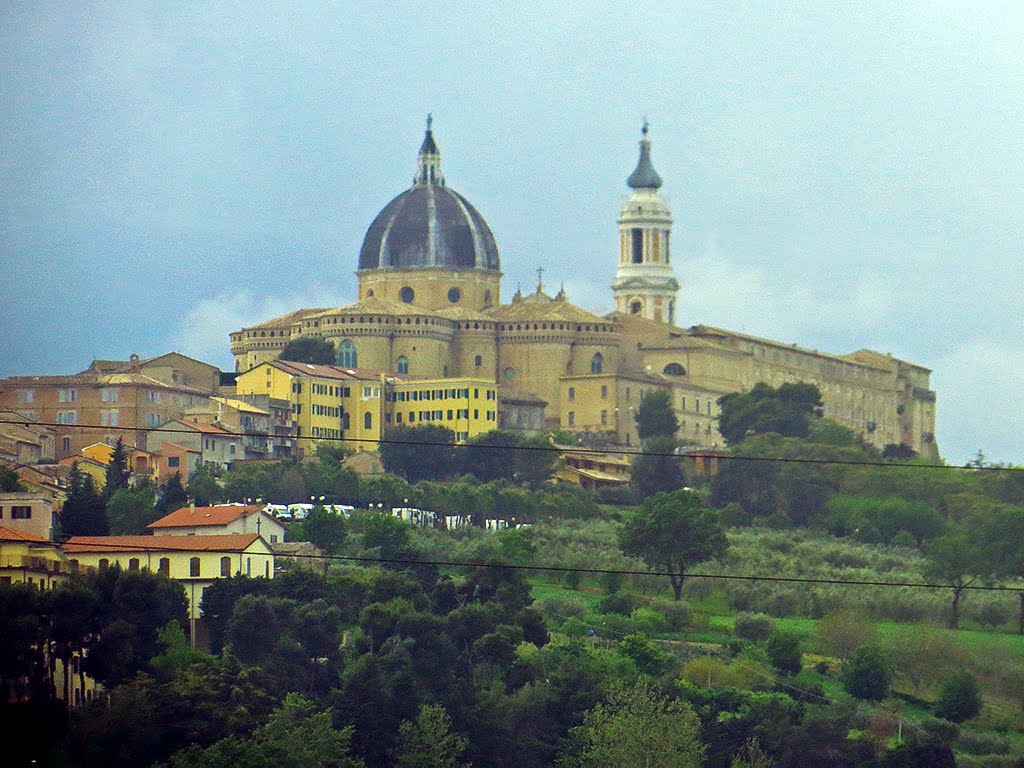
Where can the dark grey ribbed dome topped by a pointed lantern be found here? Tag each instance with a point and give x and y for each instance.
(430, 226)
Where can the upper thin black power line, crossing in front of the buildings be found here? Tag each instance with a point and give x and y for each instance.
(712, 453)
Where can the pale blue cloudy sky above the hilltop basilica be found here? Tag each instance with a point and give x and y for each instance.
(842, 176)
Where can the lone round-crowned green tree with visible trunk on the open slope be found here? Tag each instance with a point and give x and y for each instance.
(672, 532)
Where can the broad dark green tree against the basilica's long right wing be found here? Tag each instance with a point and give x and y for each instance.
(786, 411)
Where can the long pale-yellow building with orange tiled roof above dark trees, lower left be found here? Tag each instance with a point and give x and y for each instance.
(196, 562)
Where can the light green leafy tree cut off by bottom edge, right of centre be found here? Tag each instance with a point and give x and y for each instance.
(638, 728)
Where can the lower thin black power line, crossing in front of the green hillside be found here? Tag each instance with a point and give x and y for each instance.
(579, 570)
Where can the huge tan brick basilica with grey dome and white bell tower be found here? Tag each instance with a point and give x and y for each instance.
(431, 308)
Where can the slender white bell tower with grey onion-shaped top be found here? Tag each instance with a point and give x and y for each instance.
(645, 283)
